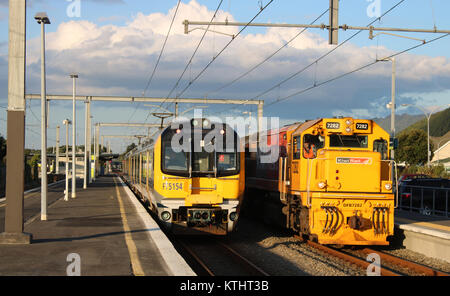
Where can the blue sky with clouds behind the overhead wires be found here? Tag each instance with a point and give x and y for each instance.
(114, 45)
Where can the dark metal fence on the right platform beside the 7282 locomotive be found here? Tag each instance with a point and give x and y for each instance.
(432, 201)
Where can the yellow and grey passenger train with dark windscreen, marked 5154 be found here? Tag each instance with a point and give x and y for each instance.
(191, 175)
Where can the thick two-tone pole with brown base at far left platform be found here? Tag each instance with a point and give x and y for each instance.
(15, 126)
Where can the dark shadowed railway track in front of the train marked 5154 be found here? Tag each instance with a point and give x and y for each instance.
(220, 259)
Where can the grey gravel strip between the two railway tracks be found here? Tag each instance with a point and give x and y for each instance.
(278, 253)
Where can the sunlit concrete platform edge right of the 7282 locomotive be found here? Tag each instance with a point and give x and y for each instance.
(427, 235)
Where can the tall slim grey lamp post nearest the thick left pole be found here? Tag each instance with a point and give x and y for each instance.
(43, 20)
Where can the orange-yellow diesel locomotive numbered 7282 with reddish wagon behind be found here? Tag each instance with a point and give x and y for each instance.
(333, 181)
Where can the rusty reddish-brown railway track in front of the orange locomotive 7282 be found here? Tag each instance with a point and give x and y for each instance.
(396, 265)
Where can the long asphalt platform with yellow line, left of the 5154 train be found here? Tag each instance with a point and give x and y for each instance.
(103, 231)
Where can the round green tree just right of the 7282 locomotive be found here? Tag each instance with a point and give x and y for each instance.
(412, 147)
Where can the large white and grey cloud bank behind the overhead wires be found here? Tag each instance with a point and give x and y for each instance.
(117, 60)
